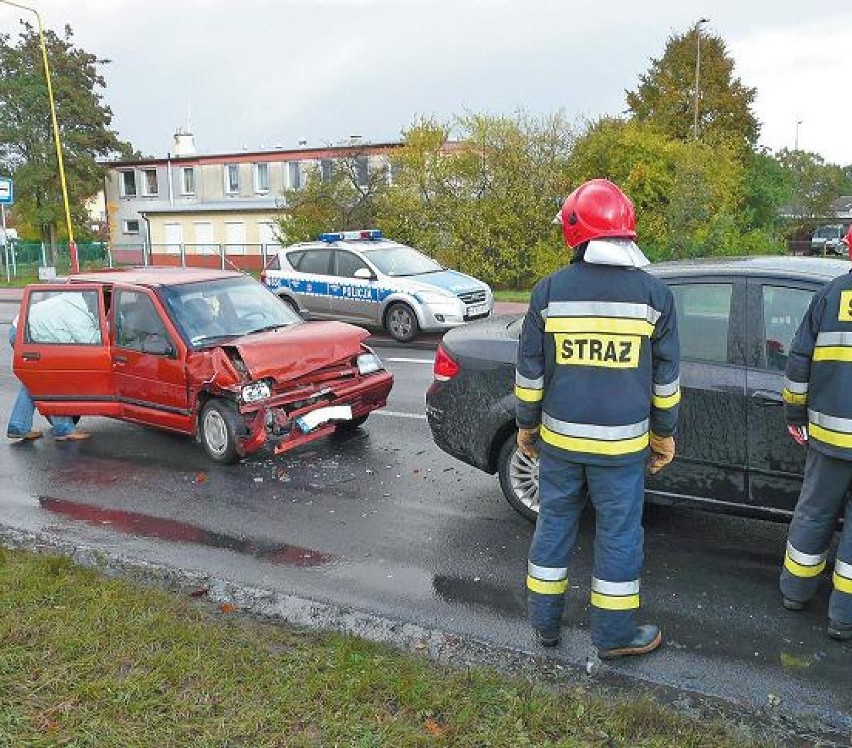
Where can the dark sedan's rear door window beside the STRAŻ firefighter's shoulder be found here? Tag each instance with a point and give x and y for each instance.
(703, 318)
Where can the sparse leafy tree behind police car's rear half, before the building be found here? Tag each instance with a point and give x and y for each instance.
(339, 195)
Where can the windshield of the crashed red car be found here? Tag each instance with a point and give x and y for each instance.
(230, 307)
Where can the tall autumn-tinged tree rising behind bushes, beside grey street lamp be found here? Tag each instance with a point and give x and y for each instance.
(665, 95)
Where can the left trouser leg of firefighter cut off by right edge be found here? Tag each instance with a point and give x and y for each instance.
(812, 527)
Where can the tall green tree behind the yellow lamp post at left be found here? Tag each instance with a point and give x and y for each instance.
(27, 150)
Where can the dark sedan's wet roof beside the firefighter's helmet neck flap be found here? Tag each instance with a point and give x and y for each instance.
(786, 266)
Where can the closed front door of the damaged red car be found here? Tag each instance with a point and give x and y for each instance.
(148, 362)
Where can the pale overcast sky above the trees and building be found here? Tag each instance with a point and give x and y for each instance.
(261, 73)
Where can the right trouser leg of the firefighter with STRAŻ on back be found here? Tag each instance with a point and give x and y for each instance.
(617, 494)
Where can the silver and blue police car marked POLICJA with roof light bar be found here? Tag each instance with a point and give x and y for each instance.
(362, 277)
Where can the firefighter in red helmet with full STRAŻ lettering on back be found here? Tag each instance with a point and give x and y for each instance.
(596, 383)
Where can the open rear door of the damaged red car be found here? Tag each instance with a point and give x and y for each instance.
(62, 352)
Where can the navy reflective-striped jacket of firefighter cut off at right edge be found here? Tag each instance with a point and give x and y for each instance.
(818, 384)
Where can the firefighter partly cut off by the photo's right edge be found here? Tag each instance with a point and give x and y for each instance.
(818, 408)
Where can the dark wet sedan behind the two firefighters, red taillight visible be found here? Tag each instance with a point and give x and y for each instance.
(736, 319)
